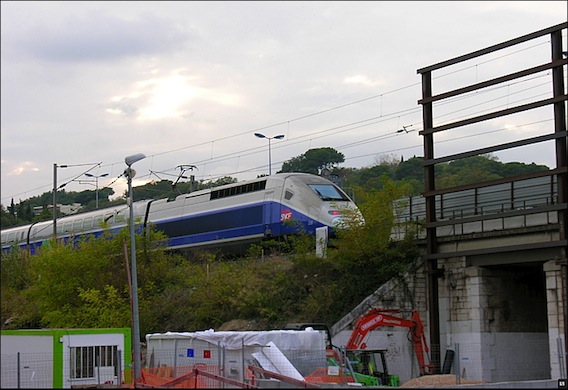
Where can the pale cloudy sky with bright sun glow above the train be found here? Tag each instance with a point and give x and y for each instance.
(86, 84)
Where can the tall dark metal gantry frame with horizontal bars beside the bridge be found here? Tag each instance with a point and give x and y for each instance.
(557, 65)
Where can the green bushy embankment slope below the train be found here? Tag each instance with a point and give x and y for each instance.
(273, 284)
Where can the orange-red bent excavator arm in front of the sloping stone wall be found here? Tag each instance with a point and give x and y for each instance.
(375, 318)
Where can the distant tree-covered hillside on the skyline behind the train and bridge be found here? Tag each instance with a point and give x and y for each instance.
(469, 170)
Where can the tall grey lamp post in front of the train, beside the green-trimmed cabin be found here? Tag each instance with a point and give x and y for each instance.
(129, 173)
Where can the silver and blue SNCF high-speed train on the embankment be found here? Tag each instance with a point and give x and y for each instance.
(230, 215)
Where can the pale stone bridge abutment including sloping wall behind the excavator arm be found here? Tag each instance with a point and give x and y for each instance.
(505, 323)
